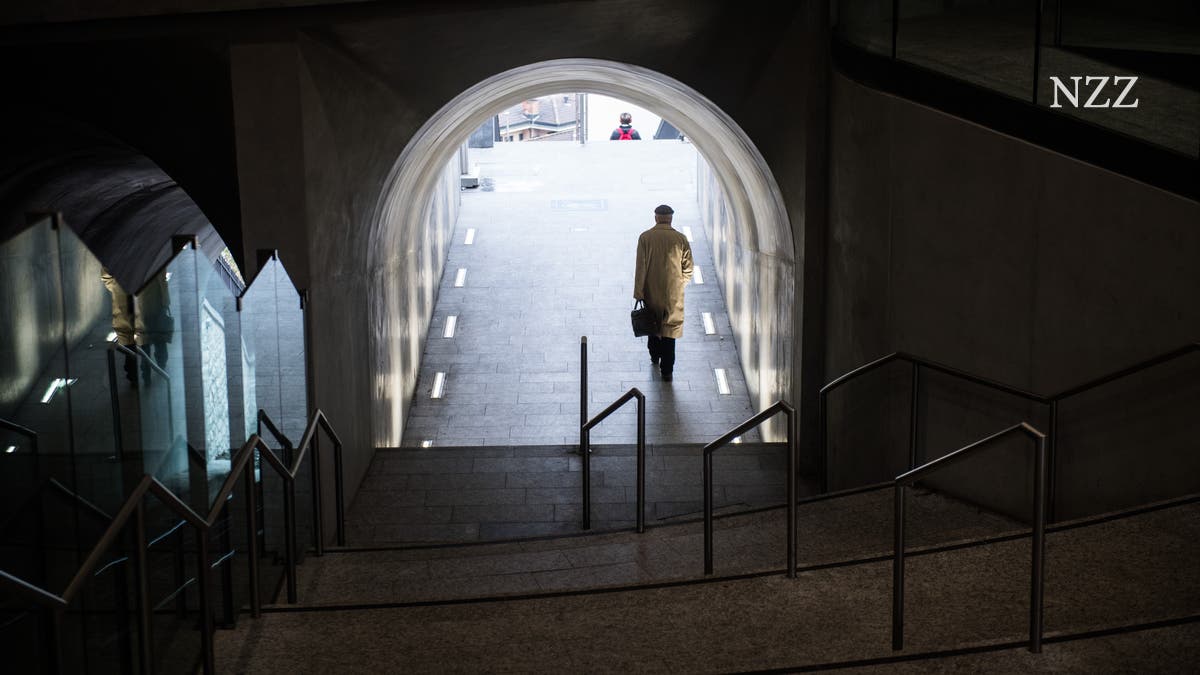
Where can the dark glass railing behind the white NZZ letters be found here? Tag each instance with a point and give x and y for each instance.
(1125, 65)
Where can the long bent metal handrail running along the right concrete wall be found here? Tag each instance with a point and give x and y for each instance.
(920, 363)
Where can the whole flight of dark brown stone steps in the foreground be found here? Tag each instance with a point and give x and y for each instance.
(1123, 594)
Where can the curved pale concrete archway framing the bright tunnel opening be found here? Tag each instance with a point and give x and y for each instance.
(749, 222)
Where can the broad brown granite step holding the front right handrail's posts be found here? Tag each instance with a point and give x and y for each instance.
(1111, 575)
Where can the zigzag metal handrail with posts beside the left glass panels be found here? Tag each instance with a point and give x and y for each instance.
(134, 510)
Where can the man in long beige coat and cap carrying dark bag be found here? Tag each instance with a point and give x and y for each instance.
(664, 267)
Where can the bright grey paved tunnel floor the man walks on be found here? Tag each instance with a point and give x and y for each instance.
(553, 237)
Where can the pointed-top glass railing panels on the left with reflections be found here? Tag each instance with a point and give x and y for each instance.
(100, 387)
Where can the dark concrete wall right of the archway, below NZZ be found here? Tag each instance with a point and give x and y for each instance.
(998, 258)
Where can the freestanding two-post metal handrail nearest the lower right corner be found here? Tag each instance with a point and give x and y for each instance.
(1037, 572)
